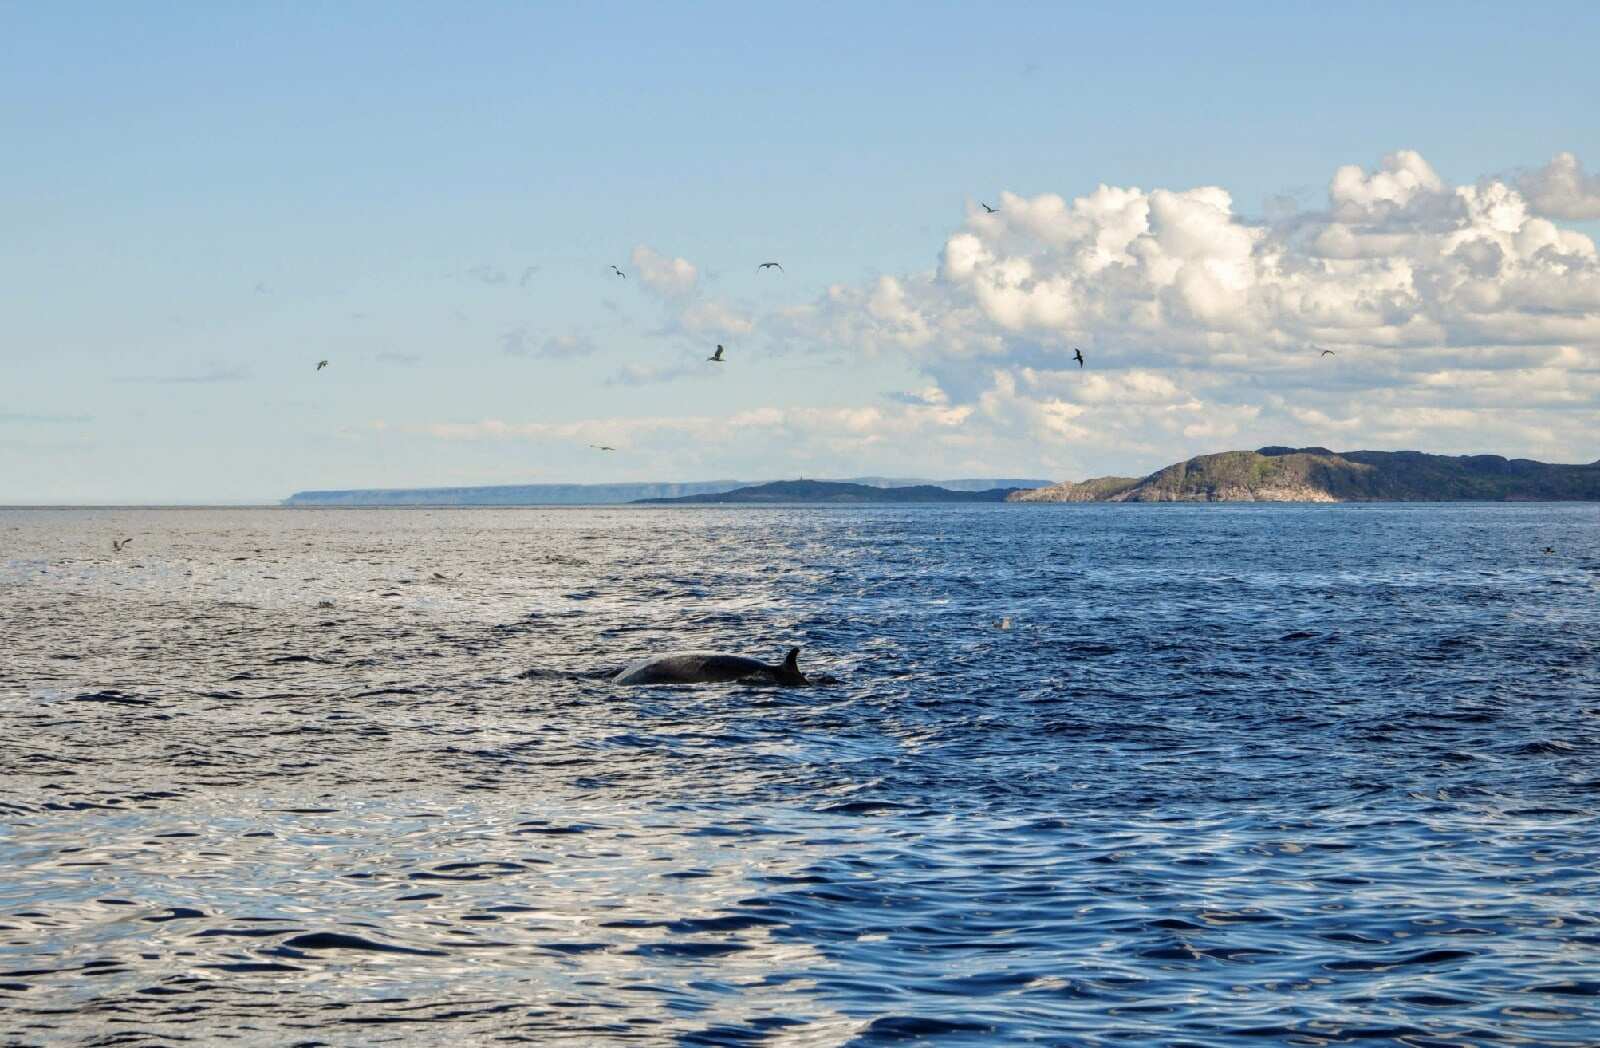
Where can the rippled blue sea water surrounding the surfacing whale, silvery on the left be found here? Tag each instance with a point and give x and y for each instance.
(1090, 775)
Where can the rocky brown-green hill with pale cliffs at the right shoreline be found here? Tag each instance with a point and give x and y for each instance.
(1322, 476)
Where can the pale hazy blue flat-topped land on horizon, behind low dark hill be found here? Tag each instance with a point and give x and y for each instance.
(594, 494)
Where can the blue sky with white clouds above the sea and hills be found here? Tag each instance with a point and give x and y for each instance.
(199, 202)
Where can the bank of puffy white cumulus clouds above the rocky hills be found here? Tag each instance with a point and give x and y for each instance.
(1460, 318)
